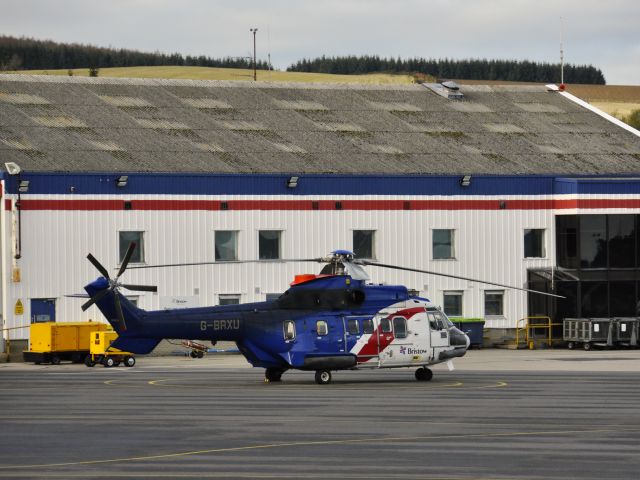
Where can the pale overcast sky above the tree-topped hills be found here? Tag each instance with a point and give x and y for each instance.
(602, 33)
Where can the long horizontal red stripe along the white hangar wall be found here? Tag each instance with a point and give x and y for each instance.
(271, 205)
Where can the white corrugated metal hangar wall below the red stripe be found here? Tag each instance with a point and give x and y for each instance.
(488, 245)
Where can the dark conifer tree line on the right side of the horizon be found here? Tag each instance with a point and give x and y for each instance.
(468, 69)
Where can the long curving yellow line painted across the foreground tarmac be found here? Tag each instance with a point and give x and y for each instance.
(324, 443)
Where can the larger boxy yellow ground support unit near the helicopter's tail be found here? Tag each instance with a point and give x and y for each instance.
(52, 342)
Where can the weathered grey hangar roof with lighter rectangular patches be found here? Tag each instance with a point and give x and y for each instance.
(79, 124)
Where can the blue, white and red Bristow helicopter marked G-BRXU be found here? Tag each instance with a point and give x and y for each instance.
(326, 322)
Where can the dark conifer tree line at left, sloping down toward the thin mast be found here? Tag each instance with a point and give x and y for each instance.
(31, 54)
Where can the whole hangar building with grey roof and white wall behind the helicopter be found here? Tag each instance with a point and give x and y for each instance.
(520, 185)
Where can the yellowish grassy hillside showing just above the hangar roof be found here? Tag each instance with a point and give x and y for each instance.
(617, 100)
